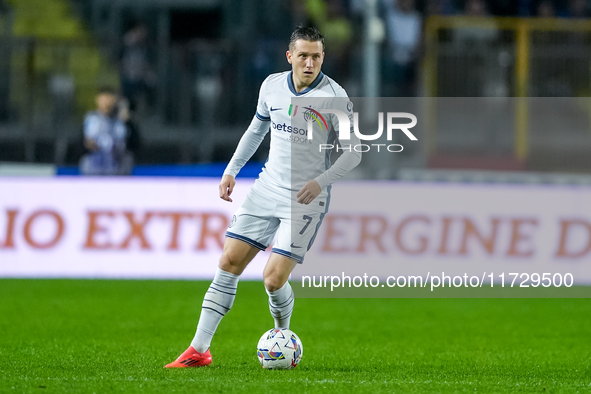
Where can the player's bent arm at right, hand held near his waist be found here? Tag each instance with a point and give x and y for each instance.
(345, 163)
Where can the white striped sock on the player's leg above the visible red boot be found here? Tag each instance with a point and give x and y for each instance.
(217, 302)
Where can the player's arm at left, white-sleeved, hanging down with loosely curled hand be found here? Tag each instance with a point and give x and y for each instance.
(248, 145)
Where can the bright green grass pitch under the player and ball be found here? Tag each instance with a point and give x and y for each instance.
(115, 336)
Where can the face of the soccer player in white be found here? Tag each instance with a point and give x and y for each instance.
(306, 59)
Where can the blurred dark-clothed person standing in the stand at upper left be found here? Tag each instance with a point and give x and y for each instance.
(136, 74)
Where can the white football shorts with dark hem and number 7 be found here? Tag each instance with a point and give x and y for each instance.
(260, 218)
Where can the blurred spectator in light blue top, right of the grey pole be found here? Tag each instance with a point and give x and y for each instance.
(404, 29)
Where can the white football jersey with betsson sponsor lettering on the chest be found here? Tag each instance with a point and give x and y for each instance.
(293, 158)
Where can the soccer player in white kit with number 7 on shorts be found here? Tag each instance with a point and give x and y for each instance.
(289, 198)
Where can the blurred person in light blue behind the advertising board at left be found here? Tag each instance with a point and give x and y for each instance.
(104, 137)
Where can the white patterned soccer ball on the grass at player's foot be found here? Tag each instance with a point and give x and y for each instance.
(279, 348)
